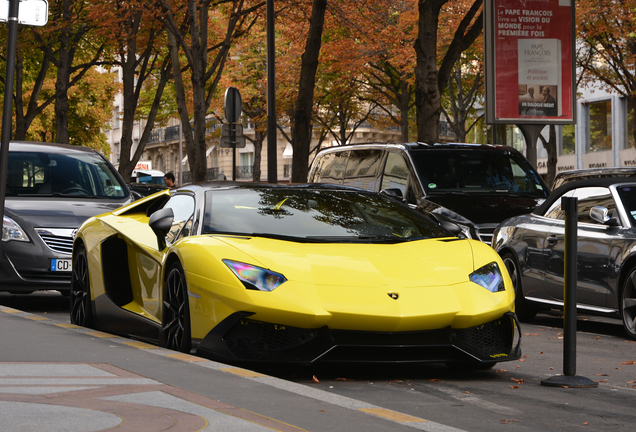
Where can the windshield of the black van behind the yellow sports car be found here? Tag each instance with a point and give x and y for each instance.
(443, 171)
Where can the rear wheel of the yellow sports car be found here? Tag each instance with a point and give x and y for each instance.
(81, 307)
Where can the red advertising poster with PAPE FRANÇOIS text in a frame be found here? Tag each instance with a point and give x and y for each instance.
(531, 60)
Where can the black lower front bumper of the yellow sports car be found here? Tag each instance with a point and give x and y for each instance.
(239, 339)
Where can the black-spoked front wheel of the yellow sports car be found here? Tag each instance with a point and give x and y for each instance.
(175, 321)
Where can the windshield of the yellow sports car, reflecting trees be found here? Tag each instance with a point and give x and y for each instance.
(314, 215)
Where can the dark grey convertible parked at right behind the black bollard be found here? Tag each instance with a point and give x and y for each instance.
(532, 247)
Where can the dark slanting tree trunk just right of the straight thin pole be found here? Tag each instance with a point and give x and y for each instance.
(301, 133)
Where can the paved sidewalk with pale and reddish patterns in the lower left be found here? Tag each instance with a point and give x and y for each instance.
(57, 377)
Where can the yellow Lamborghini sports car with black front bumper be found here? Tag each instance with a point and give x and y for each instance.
(302, 274)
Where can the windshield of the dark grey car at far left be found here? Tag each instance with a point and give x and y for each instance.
(54, 174)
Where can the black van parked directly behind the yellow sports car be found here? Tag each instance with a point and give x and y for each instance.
(475, 186)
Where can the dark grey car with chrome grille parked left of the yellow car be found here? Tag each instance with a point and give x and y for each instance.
(51, 190)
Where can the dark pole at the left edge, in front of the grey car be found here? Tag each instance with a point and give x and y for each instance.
(7, 113)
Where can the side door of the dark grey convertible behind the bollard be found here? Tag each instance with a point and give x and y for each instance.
(594, 243)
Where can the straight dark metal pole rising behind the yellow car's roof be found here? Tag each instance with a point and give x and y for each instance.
(272, 164)
